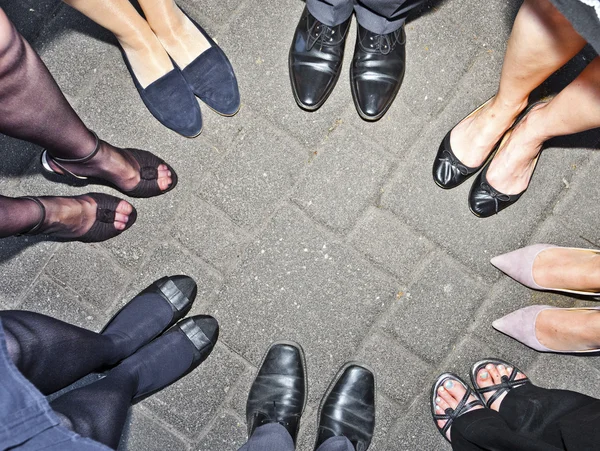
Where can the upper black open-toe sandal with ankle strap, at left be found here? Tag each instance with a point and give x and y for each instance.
(148, 162)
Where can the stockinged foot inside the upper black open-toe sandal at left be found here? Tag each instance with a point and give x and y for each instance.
(117, 166)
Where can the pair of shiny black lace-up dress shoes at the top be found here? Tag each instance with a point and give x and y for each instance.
(315, 63)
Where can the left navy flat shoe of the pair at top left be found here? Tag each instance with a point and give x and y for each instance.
(171, 101)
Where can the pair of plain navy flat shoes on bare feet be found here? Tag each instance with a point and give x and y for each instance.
(172, 98)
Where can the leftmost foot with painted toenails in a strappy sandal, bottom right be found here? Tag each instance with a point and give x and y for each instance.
(449, 395)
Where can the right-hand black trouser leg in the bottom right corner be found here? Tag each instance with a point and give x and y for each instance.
(558, 417)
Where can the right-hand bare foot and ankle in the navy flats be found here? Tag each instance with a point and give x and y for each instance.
(180, 37)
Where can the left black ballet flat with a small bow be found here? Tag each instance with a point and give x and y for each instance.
(448, 171)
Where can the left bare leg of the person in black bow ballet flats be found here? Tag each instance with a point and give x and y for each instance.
(542, 40)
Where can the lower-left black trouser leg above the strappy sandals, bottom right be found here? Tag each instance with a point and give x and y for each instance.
(486, 430)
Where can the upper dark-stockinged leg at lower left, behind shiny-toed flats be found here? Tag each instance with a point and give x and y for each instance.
(52, 354)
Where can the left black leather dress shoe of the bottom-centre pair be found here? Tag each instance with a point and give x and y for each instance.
(278, 394)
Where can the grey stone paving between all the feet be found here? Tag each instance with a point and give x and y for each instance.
(315, 227)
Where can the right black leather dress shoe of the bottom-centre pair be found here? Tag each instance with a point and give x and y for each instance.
(348, 408)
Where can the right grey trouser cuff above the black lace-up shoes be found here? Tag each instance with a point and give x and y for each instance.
(382, 16)
